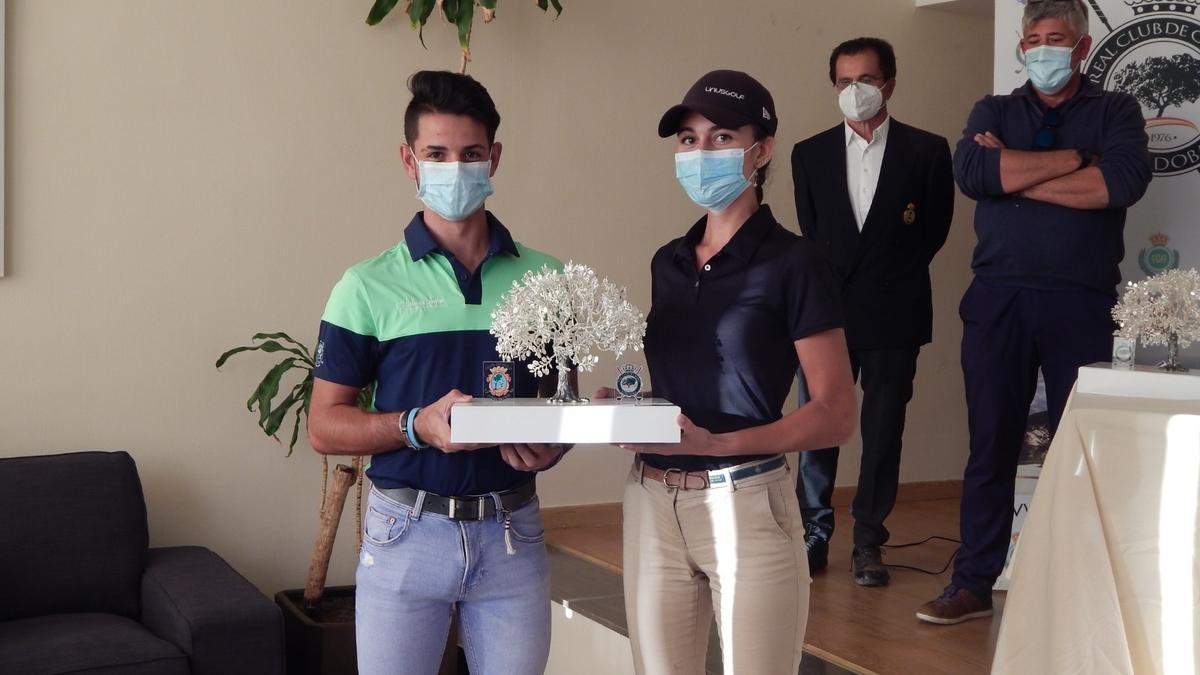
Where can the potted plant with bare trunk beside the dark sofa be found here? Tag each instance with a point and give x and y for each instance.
(319, 622)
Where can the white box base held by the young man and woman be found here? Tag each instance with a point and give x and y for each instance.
(535, 421)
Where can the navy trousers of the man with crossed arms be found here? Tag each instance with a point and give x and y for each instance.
(1007, 334)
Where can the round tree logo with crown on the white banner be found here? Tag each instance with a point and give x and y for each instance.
(1156, 58)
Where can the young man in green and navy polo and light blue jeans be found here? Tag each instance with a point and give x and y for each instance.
(447, 524)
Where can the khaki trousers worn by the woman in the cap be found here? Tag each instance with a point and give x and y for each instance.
(737, 553)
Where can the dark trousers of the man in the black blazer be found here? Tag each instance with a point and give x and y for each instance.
(886, 377)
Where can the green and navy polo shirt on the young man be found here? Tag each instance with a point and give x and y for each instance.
(416, 322)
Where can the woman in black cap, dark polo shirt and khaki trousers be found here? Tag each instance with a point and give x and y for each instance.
(739, 304)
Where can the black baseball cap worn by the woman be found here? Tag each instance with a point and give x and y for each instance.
(730, 99)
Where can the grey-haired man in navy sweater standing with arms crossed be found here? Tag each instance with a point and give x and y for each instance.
(1053, 166)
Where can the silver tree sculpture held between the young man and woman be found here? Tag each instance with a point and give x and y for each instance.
(562, 319)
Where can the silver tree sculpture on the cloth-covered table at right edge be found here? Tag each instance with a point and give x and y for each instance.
(1162, 310)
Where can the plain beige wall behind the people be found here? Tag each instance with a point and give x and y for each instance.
(184, 175)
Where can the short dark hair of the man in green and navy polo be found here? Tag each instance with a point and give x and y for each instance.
(449, 93)
